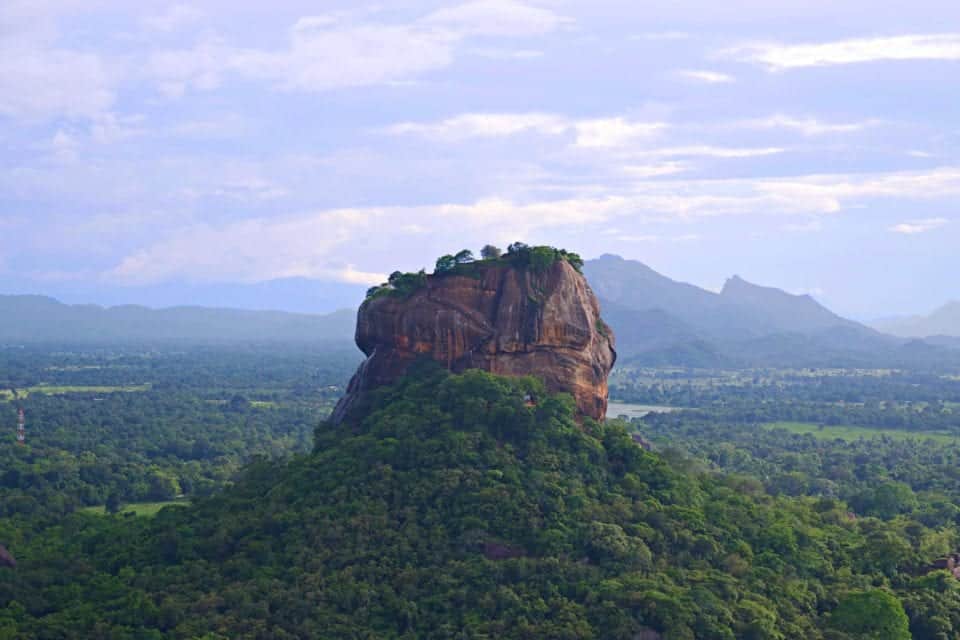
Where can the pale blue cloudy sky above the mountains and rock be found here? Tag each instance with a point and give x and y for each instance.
(173, 146)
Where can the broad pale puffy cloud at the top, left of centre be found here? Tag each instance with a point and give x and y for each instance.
(326, 52)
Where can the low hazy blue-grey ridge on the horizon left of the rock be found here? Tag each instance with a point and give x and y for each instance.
(25, 319)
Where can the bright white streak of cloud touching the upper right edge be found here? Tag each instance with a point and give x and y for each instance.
(778, 56)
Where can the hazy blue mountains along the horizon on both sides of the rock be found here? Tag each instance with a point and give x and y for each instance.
(657, 321)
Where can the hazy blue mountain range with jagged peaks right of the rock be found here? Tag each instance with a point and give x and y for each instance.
(659, 321)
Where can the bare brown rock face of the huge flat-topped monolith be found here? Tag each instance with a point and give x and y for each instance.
(502, 319)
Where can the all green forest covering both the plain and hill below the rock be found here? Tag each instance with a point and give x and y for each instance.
(451, 507)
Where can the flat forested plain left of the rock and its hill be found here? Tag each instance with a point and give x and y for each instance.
(144, 425)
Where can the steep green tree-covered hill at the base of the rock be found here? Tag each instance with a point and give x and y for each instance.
(454, 508)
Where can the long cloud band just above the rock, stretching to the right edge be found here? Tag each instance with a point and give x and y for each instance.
(318, 244)
